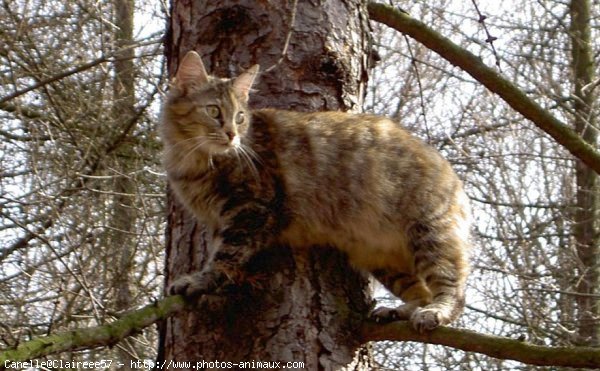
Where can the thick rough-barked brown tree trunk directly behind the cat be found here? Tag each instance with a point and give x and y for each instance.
(311, 304)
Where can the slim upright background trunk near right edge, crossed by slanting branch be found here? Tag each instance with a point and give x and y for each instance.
(587, 214)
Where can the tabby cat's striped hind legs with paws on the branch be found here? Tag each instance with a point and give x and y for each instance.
(433, 293)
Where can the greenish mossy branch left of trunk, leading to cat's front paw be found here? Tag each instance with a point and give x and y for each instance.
(88, 338)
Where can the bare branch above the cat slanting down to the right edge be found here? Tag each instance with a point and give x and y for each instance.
(473, 65)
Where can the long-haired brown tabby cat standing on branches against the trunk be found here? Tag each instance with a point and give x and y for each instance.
(357, 182)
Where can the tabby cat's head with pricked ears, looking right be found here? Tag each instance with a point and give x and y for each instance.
(206, 113)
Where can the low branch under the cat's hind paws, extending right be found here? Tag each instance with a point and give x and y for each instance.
(494, 346)
